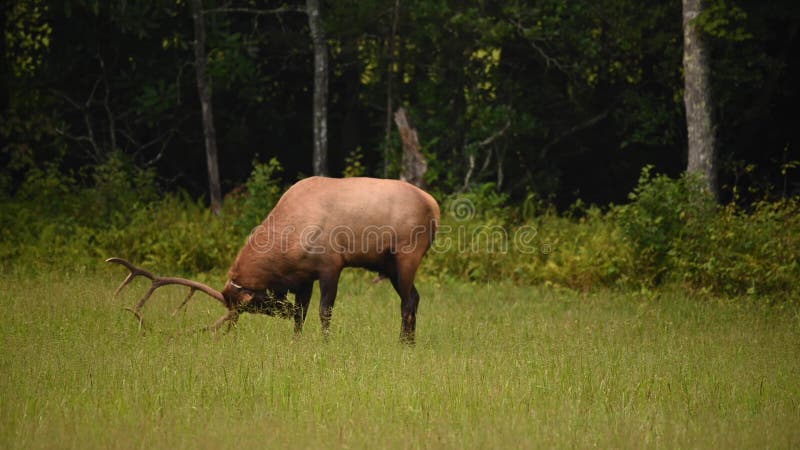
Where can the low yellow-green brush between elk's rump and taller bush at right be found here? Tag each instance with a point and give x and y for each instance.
(483, 239)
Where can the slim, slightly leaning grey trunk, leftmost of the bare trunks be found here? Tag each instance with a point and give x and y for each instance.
(204, 91)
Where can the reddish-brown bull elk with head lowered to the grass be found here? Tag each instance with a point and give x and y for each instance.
(317, 228)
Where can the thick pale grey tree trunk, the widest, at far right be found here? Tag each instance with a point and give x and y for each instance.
(697, 98)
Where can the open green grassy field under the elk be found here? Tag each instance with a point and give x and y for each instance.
(494, 366)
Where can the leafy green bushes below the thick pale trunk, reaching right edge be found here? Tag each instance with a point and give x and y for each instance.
(678, 234)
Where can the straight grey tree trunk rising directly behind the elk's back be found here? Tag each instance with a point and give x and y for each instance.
(320, 114)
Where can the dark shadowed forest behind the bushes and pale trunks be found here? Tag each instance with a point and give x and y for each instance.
(562, 99)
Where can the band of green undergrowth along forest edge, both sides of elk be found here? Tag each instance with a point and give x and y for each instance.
(670, 234)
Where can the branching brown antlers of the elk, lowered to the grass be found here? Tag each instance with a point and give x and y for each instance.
(157, 282)
